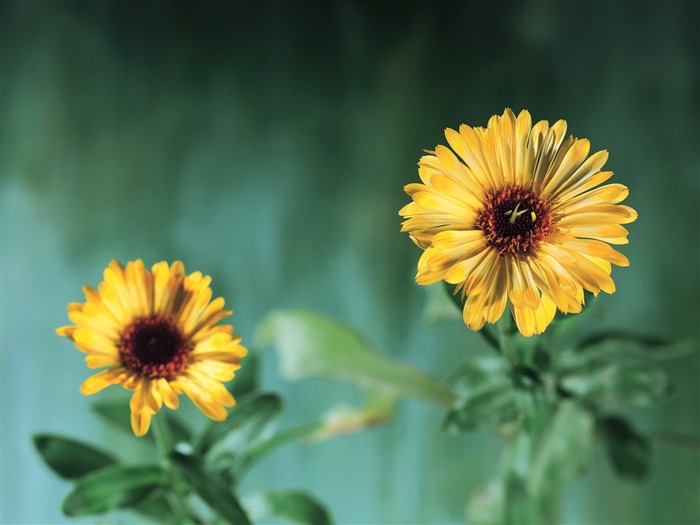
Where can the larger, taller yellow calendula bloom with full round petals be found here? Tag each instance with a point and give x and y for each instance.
(517, 217)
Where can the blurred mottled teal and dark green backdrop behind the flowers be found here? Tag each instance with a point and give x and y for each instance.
(267, 144)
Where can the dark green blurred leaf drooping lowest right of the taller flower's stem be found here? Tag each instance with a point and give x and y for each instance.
(628, 450)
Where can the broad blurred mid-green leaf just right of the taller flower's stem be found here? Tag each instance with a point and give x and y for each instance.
(625, 381)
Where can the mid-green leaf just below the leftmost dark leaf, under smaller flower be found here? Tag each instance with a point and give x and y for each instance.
(109, 488)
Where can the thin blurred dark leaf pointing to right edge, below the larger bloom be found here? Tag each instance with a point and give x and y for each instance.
(643, 345)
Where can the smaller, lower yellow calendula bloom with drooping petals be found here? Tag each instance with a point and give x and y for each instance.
(156, 333)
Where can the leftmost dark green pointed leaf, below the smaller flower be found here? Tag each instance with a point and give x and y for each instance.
(68, 458)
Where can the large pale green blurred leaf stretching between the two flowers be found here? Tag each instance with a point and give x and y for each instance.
(309, 344)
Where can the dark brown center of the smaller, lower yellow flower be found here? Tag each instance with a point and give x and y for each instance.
(153, 347)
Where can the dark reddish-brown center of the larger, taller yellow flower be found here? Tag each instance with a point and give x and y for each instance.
(514, 219)
